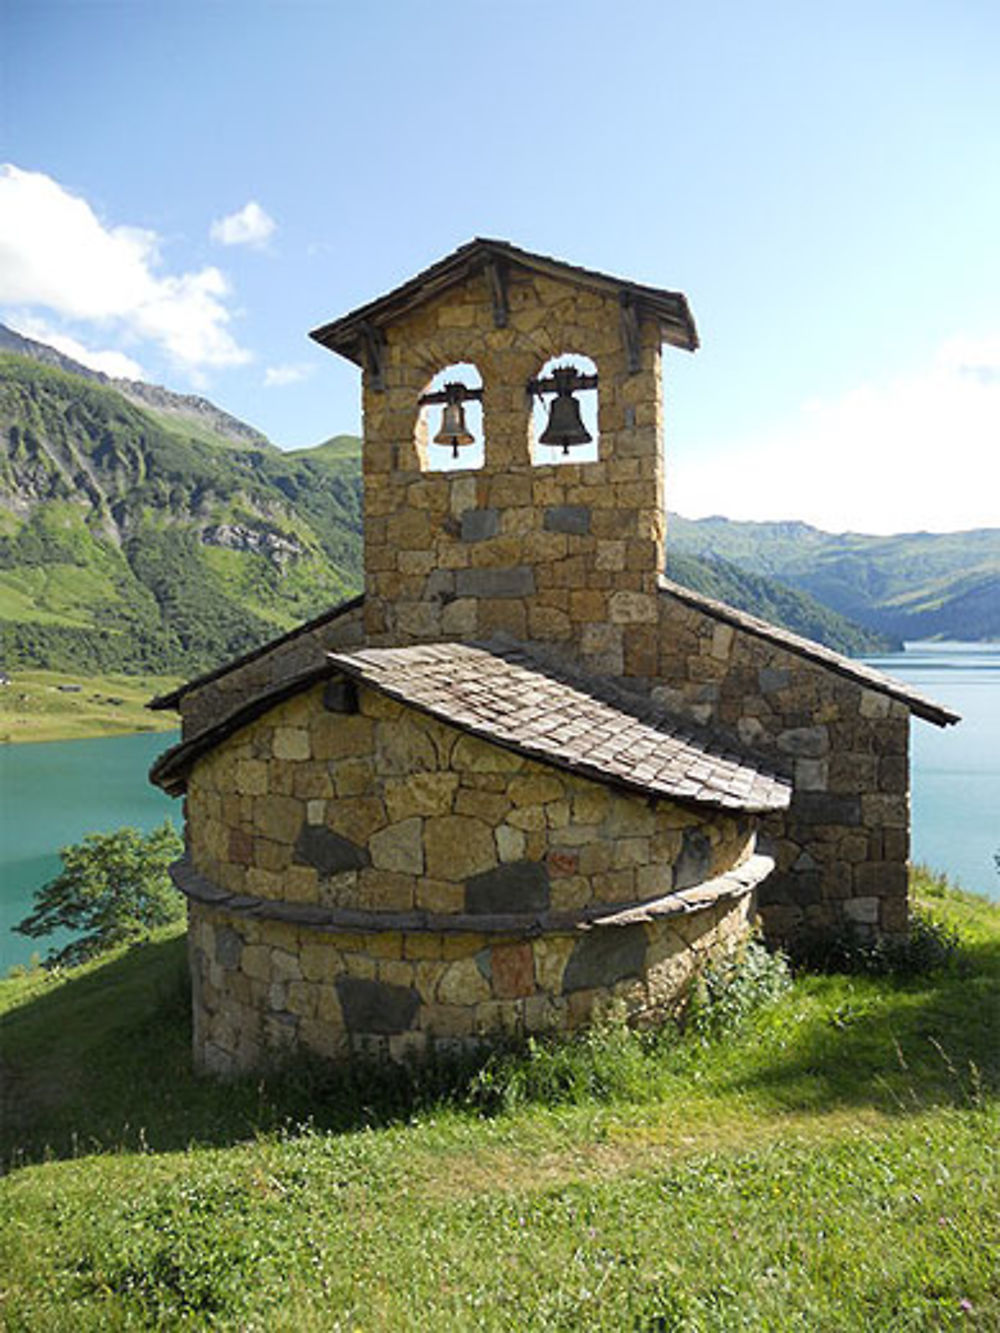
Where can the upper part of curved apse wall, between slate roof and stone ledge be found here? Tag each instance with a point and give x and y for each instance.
(389, 810)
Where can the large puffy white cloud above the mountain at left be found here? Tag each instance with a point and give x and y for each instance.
(57, 254)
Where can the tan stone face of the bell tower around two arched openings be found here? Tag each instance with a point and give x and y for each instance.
(563, 555)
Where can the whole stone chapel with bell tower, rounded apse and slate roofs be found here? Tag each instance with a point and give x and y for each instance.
(522, 775)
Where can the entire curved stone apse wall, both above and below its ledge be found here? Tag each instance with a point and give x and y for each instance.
(514, 872)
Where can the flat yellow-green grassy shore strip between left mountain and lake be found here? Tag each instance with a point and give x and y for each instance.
(49, 706)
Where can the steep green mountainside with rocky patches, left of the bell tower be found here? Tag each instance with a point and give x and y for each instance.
(135, 541)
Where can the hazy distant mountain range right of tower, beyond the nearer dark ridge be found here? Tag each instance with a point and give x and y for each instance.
(910, 586)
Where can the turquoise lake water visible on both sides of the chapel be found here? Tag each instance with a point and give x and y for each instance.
(53, 794)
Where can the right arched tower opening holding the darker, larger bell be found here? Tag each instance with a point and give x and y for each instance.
(565, 411)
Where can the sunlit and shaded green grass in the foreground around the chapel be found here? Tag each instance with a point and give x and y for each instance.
(833, 1167)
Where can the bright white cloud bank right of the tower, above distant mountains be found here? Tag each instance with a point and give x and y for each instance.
(917, 453)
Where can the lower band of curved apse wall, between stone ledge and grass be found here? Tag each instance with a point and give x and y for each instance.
(266, 988)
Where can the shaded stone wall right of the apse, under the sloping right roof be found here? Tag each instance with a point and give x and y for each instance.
(842, 850)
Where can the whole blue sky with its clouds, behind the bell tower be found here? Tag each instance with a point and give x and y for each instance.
(193, 187)
